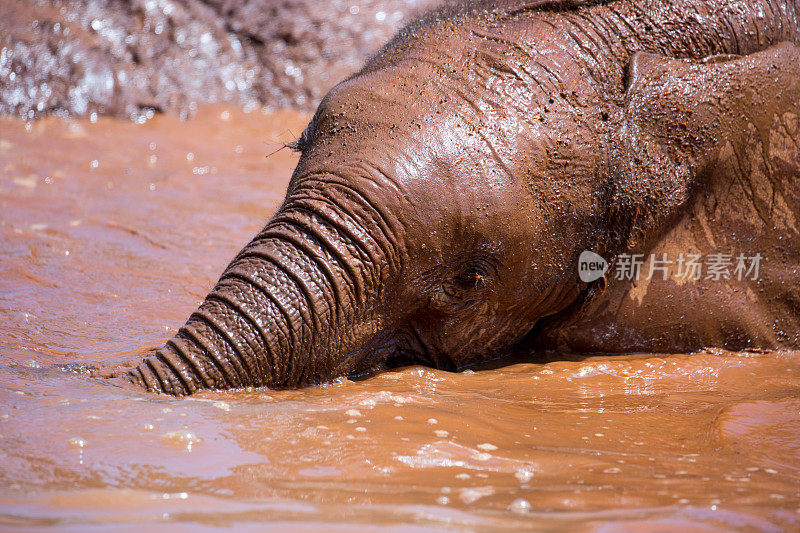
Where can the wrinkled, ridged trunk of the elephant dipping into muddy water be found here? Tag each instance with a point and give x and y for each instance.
(286, 311)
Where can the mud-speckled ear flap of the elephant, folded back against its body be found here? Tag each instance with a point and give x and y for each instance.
(678, 117)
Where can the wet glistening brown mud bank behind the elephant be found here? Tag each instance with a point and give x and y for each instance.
(133, 58)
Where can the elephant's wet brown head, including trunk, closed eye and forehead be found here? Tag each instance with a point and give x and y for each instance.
(442, 198)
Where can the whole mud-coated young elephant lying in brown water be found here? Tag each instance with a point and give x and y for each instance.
(445, 192)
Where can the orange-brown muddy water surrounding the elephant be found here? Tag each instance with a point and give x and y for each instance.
(112, 232)
